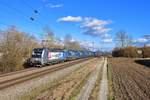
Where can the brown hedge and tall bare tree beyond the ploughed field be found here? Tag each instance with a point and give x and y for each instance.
(126, 49)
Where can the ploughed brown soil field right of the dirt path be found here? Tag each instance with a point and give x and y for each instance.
(131, 81)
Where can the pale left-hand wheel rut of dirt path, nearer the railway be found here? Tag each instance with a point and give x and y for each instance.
(87, 88)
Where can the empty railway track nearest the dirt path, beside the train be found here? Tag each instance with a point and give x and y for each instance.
(9, 82)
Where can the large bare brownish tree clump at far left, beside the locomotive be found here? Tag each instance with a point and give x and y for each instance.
(15, 47)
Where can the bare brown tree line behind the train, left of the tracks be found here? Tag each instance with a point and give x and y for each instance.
(16, 47)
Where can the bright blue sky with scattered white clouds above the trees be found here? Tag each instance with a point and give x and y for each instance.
(88, 21)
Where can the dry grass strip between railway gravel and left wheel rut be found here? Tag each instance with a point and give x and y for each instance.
(70, 86)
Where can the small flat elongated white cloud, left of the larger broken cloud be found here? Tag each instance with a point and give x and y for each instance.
(70, 19)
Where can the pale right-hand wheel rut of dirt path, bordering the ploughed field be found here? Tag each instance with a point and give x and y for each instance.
(104, 83)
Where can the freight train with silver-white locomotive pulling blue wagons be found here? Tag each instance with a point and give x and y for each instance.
(45, 56)
